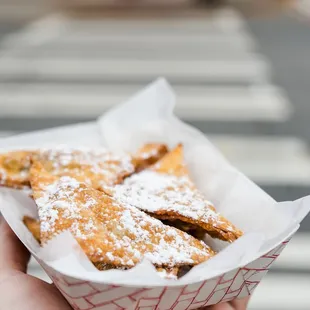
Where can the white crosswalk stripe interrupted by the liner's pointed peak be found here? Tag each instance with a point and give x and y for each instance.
(260, 103)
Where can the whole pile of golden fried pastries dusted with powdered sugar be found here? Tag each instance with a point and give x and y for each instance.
(120, 208)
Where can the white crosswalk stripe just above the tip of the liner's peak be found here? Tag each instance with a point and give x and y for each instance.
(141, 70)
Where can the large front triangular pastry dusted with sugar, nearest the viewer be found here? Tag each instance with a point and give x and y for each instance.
(111, 234)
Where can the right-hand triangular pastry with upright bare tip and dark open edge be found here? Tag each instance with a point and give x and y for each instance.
(166, 191)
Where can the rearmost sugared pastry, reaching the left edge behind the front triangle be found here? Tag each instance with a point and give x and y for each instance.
(97, 168)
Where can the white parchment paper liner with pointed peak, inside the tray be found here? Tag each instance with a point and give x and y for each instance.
(147, 117)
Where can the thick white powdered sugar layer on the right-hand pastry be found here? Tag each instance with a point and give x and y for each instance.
(152, 191)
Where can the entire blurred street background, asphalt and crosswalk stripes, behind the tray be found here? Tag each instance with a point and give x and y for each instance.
(241, 72)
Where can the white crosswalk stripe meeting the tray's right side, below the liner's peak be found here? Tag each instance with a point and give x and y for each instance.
(265, 159)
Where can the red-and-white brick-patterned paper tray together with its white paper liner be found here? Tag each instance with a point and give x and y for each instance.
(233, 273)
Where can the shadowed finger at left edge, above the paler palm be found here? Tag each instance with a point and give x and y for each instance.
(13, 254)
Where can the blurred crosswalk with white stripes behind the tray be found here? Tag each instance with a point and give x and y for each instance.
(63, 69)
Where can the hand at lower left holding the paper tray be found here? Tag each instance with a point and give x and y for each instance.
(17, 289)
